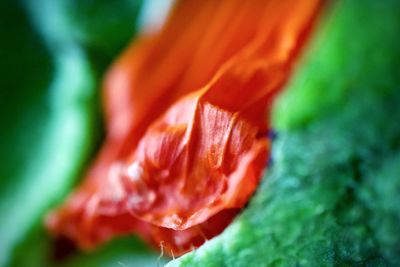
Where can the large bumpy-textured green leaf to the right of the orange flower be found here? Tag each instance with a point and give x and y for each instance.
(332, 192)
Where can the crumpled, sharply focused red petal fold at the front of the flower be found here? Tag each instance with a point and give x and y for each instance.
(189, 164)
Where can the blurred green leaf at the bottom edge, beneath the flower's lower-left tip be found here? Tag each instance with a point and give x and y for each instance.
(120, 252)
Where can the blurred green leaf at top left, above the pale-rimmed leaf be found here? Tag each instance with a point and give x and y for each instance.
(100, 27)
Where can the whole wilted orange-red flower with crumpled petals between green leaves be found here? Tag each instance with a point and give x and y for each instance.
(187, 121)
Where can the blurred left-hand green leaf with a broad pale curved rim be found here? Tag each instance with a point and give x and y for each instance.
(48, 123)
